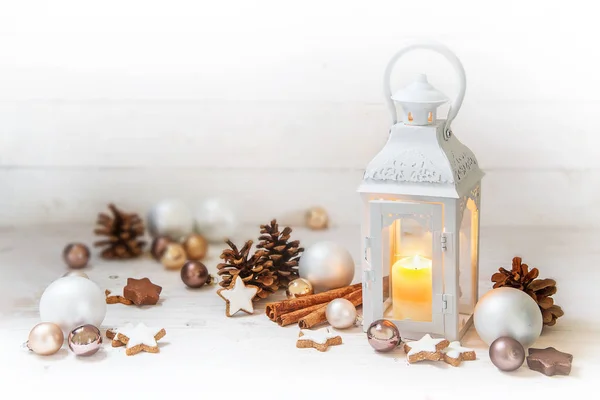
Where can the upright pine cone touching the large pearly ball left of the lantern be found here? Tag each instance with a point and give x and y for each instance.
(281, 255)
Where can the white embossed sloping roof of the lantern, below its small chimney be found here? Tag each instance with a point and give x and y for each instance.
(422, 161)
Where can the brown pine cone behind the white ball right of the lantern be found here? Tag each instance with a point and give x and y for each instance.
(540, 290)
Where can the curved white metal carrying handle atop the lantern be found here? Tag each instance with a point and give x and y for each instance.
(452, 59)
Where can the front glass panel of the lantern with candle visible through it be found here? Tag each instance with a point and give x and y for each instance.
(409, 267)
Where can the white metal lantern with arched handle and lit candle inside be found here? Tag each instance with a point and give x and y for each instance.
(420, 228)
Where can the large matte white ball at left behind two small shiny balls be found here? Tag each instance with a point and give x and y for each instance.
(73, 301)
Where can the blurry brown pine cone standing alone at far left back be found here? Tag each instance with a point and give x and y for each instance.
(123, 231)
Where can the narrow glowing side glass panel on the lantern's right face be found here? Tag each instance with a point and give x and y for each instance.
(468, 259)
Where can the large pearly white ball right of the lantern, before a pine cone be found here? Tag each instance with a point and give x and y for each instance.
(508, 312)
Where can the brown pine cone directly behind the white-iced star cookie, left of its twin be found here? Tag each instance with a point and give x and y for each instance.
(251, 270)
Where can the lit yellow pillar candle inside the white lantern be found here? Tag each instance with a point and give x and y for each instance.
(411, 288)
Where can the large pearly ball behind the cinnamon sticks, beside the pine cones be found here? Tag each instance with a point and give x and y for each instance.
(326, 265)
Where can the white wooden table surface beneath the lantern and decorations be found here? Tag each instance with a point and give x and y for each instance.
(207, 354)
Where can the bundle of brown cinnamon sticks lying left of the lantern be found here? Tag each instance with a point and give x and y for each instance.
(309, 311)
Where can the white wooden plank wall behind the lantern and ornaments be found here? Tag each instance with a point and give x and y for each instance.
(275, 106)
